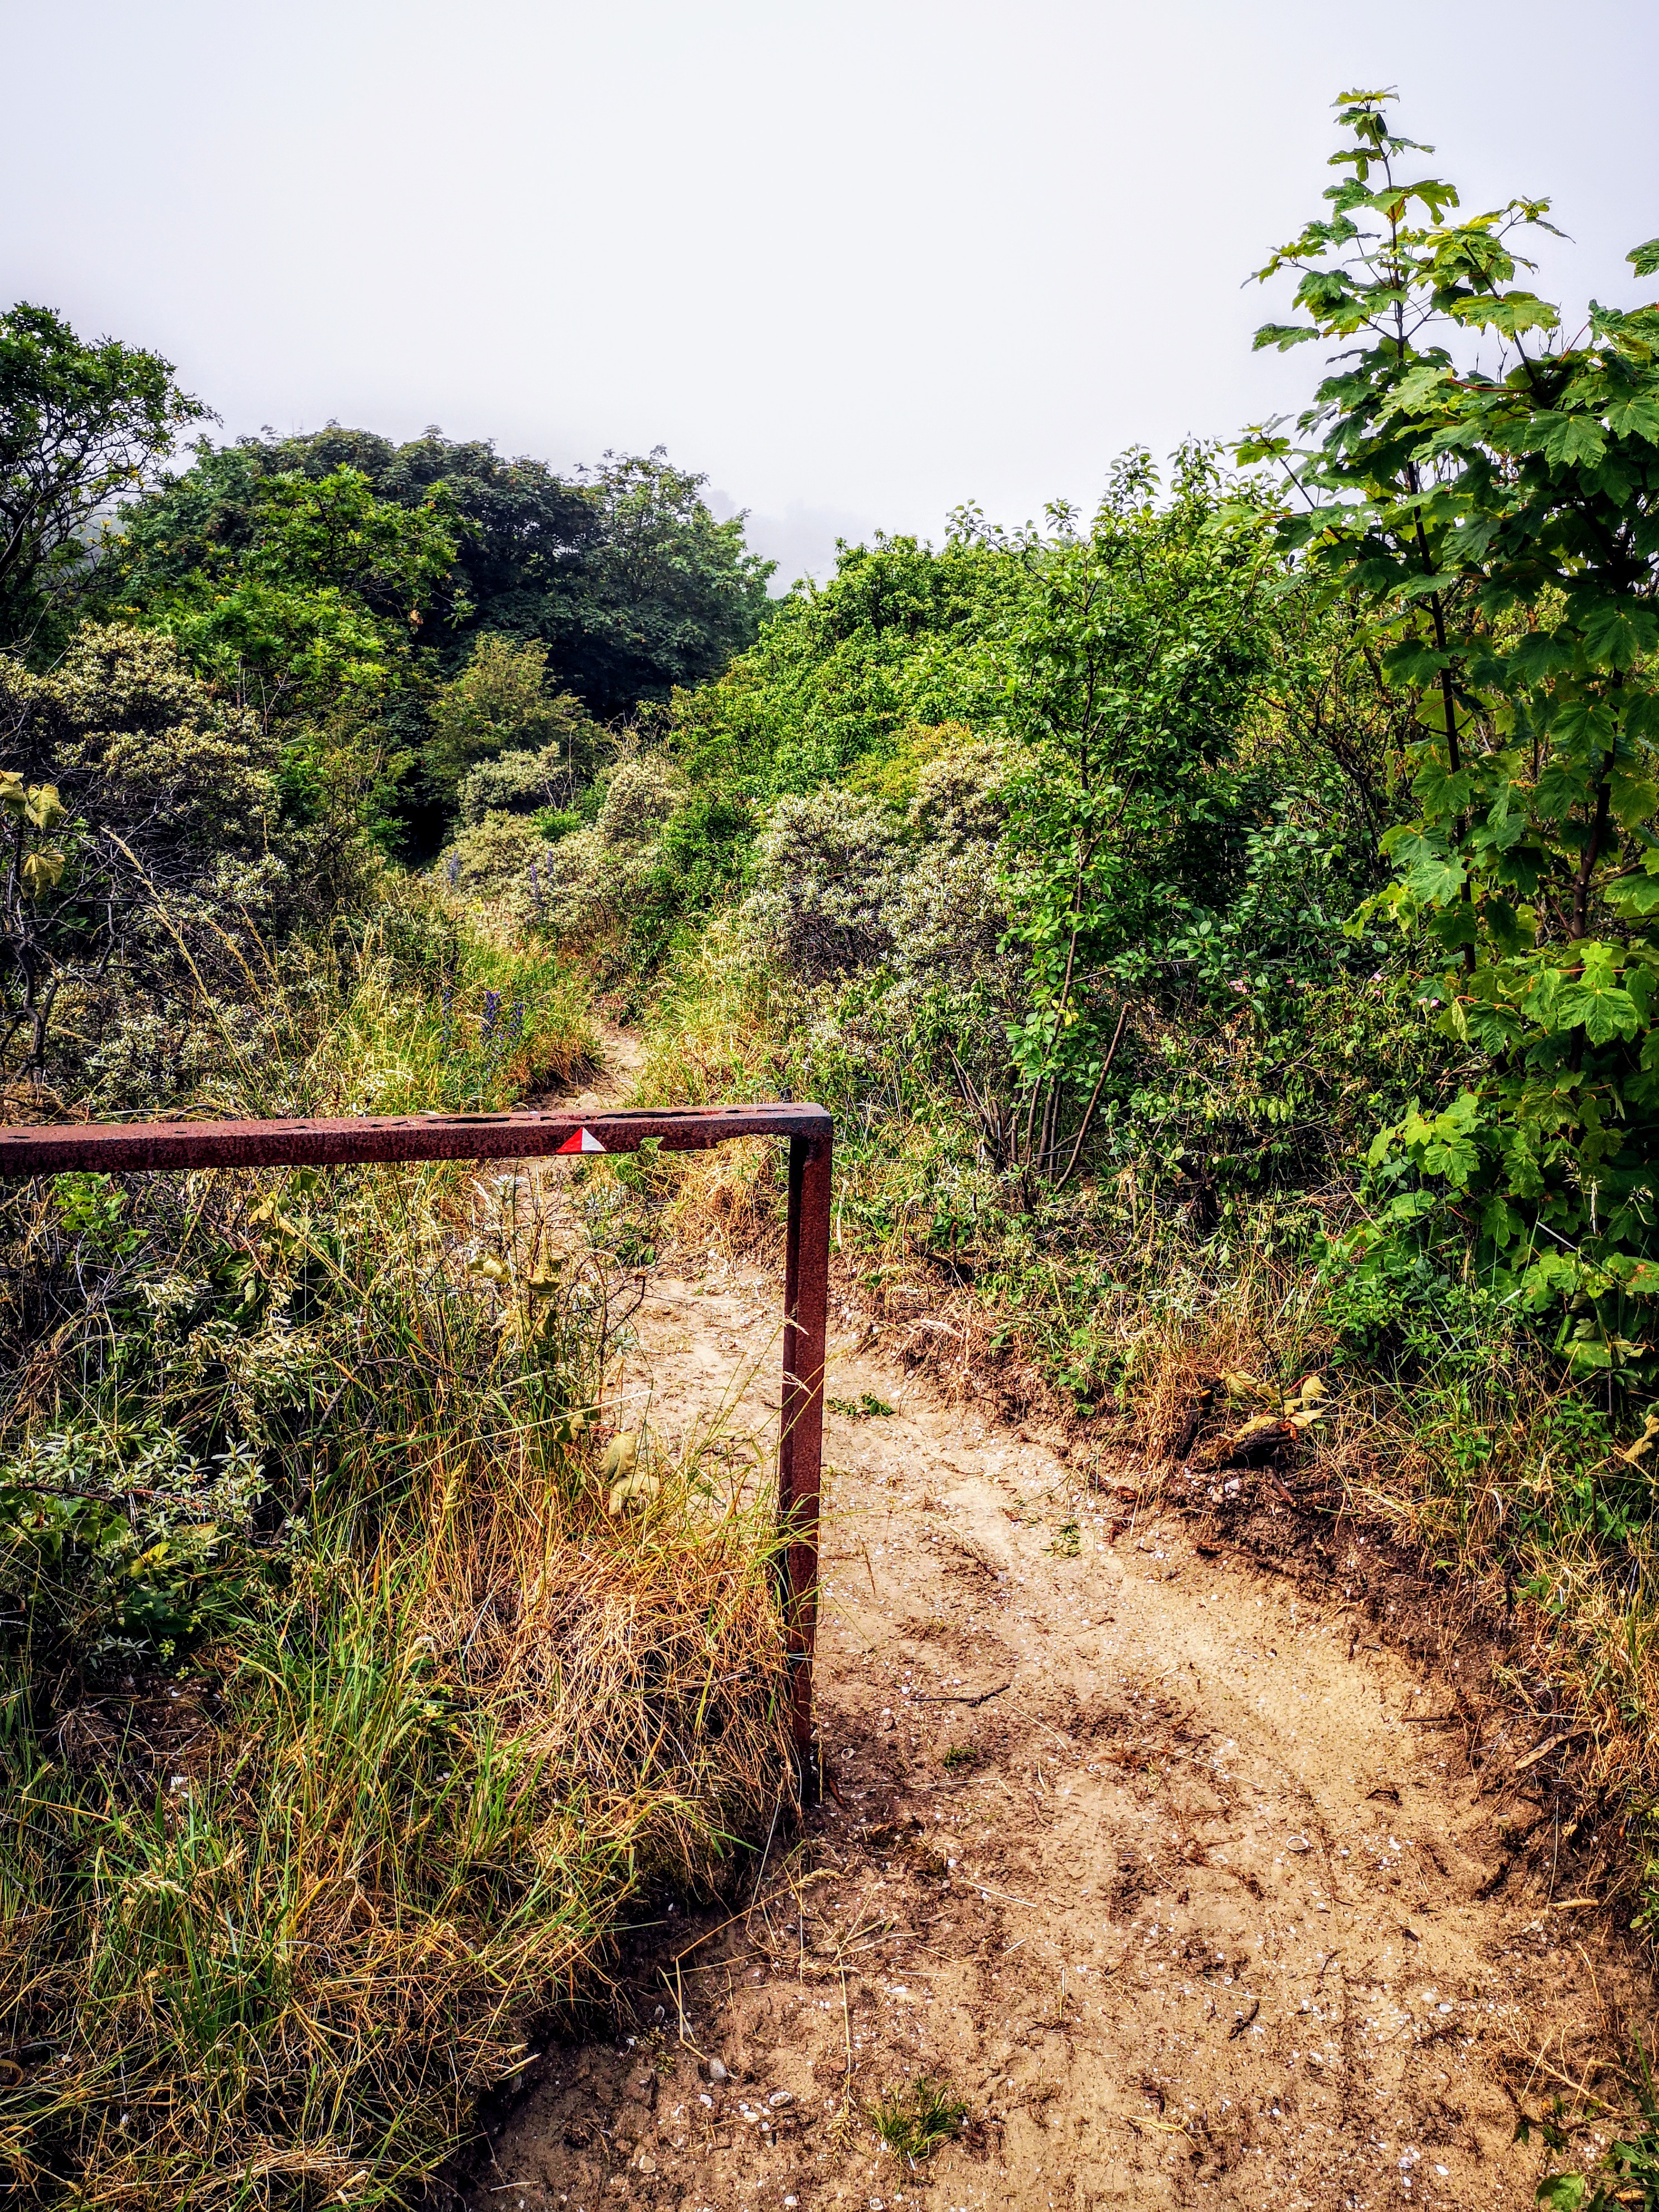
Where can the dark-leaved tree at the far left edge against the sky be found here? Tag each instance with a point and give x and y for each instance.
(81, 426)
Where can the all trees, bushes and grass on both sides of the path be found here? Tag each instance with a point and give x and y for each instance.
(1224, 928)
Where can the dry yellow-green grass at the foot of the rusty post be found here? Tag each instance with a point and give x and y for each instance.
(282, 1963)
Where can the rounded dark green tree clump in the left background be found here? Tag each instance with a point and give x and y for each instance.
(373, 596)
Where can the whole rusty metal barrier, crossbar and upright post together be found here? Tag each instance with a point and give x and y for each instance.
(149, 1147)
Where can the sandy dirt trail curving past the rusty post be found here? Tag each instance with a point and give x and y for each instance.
(1165, 1868)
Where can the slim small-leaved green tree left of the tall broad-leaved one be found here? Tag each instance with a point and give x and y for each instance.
(1127, 687)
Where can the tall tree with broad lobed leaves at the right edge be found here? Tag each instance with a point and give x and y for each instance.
(1488, 492)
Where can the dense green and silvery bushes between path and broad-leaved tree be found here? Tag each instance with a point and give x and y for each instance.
(1039, 804)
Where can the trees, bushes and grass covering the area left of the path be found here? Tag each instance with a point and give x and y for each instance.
(273, 1448)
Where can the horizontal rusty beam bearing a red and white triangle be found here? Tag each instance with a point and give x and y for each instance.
(145, 1147)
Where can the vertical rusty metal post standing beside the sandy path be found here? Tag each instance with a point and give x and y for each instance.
(806, 1315)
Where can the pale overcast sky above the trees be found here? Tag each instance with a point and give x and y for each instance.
(857, 262)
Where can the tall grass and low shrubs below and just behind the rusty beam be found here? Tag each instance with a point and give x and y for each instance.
(337, 1715)
